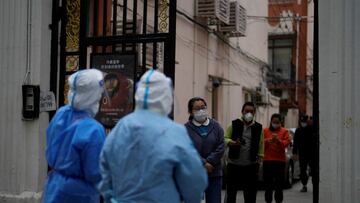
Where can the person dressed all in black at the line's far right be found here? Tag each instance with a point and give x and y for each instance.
(304, 149)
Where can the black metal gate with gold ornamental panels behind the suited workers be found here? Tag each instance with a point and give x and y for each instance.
(82, 29)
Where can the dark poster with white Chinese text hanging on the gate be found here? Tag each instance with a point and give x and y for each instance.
(119, 77)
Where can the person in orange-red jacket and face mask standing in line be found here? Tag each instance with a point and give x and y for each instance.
(276, 139)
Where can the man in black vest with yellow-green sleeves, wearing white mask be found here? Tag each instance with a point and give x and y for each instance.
(245, 140)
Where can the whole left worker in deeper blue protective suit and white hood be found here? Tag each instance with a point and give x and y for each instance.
(74, 142)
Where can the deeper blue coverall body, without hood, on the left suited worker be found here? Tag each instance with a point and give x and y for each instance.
(74, 142)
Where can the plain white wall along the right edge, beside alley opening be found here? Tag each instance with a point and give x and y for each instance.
(339, 50)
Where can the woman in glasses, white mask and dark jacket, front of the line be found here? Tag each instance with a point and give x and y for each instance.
(208, 138)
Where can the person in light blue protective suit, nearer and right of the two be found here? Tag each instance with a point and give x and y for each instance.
(148, 158)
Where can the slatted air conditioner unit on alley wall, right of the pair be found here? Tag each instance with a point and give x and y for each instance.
(237, 23)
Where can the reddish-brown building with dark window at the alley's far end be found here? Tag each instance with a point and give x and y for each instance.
(290, 55)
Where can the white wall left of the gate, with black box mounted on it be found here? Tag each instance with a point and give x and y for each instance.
(22, 163)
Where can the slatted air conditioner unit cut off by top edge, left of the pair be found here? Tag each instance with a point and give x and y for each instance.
(219, 9)
